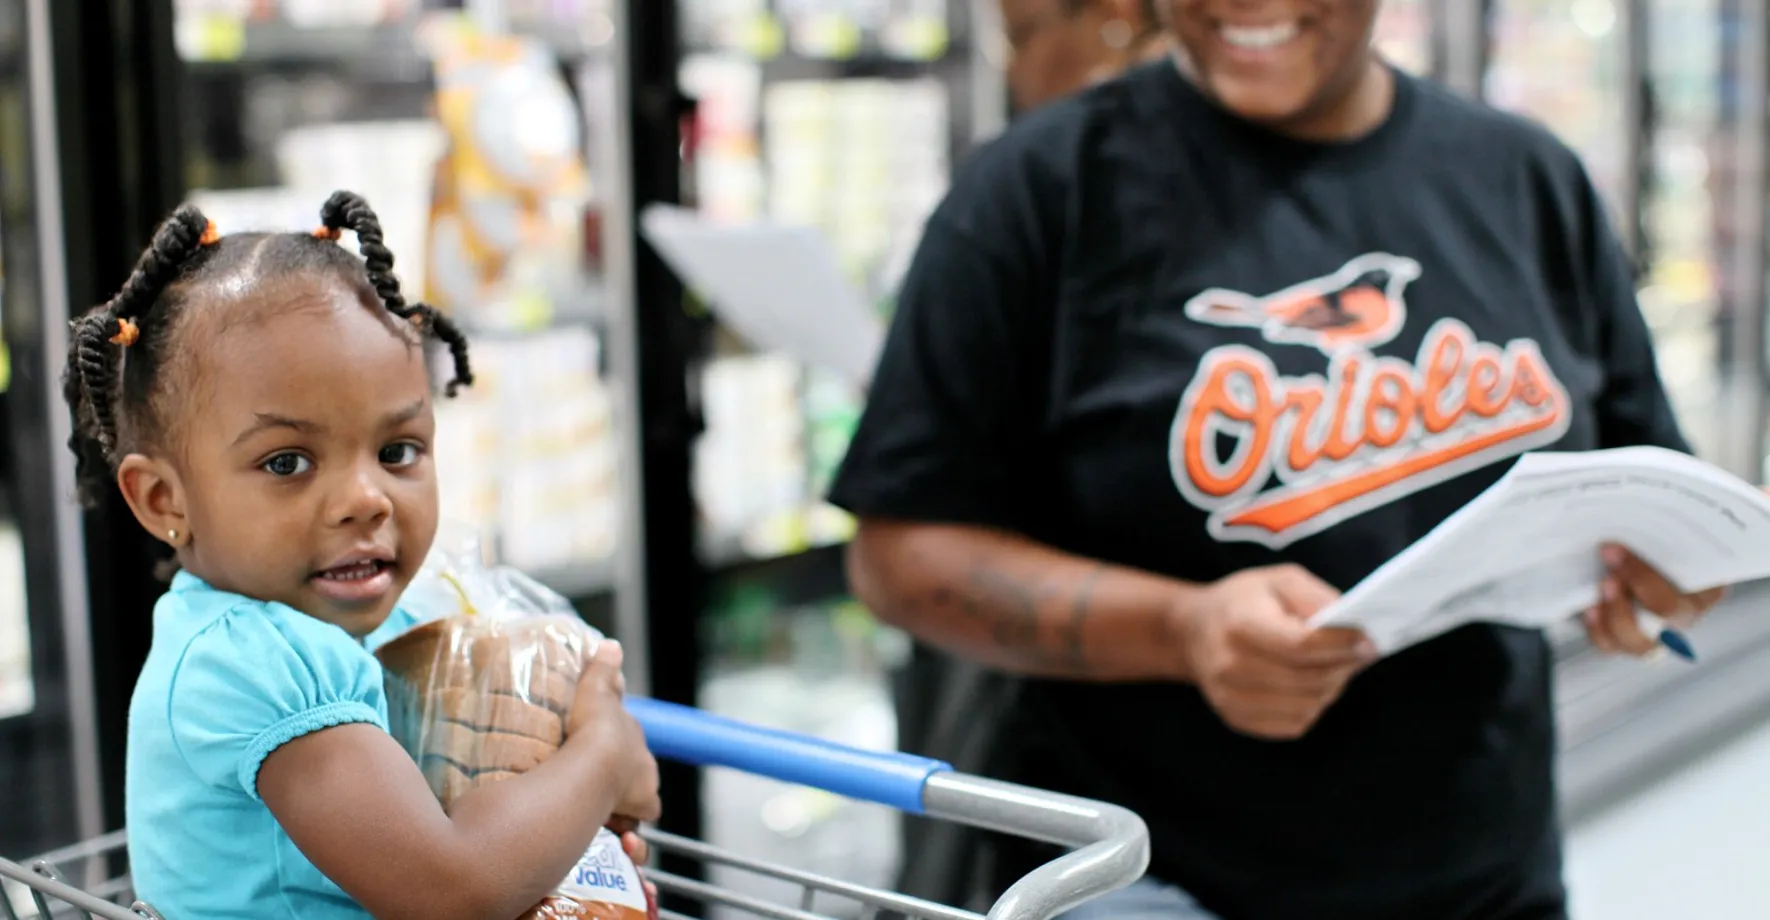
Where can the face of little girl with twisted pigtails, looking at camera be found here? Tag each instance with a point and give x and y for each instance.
(304, 461)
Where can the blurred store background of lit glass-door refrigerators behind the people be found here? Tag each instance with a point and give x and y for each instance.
(640, 456)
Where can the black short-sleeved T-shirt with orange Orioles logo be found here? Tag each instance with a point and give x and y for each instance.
(1144, 332)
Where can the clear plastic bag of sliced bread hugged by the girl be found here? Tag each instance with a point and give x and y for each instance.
(481, 693)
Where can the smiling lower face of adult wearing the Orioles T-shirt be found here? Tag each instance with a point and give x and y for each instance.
(1279, 63)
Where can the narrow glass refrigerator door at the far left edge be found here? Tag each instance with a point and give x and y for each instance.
(49, 765)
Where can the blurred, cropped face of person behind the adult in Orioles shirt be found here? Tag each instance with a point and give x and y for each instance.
(1063, 45)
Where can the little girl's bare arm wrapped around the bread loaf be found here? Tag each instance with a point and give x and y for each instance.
(360, 809)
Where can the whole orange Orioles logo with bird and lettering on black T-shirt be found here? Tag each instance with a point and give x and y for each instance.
(1275, 459)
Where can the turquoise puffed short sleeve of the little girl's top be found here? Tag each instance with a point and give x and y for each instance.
(259, 678)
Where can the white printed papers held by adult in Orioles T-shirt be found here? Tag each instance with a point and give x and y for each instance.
(1527, 551)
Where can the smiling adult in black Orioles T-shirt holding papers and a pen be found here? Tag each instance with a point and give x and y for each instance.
(1185, 356)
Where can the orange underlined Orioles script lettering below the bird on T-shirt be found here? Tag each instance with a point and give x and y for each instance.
(1366, 427)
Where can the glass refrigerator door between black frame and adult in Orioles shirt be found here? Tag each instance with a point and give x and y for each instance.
(845, 118)
